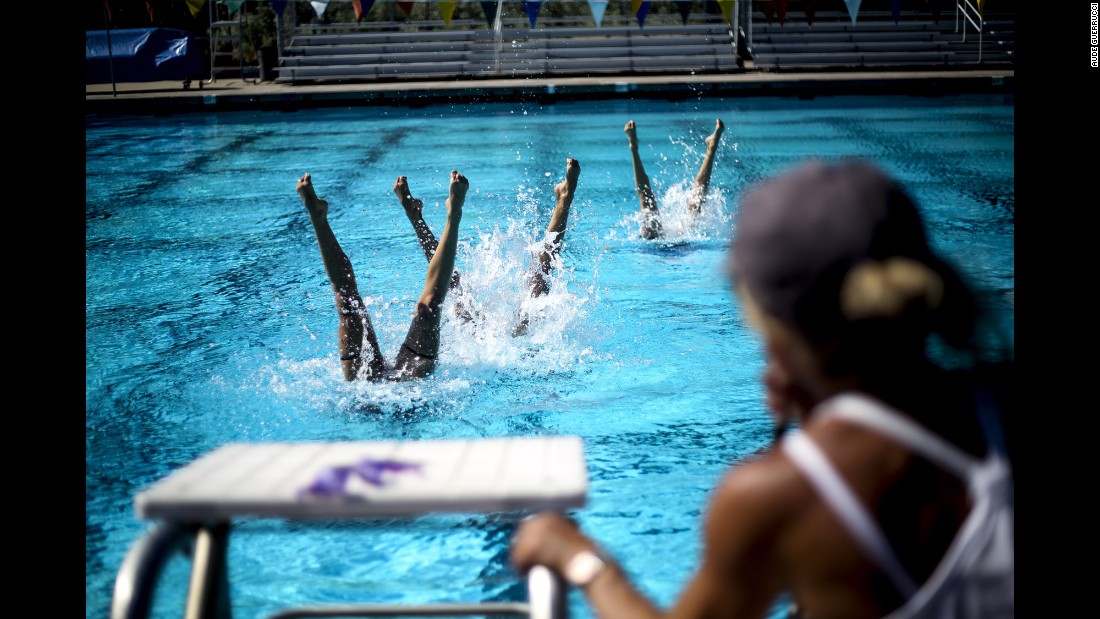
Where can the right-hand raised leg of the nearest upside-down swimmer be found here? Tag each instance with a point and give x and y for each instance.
(417, 356)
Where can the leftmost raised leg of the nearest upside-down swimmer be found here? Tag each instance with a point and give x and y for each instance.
(356, 326)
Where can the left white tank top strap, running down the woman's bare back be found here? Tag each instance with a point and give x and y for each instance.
(812, 462)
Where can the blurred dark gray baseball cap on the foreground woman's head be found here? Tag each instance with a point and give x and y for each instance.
(798, 235)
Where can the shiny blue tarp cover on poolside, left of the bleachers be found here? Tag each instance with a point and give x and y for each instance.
(141, 54)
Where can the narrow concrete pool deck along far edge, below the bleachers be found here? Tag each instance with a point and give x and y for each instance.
(236, 94)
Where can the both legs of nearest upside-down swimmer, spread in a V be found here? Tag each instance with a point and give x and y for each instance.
(359, 345)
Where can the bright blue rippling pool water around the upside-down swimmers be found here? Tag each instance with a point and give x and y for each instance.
(211, 320)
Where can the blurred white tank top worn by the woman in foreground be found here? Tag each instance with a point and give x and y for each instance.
(975, 579)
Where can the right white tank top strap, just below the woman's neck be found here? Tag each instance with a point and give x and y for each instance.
(877, 416)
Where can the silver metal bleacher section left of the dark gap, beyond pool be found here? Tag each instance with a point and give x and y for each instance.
(467, 51)
